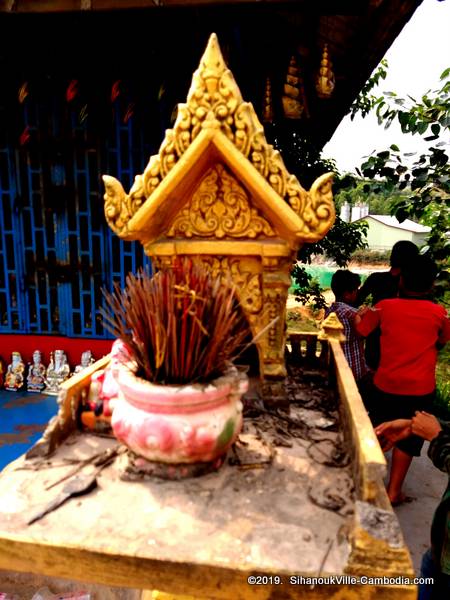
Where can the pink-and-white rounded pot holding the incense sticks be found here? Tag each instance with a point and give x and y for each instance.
(176, 423)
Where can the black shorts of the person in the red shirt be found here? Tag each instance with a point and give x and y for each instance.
(387, 407)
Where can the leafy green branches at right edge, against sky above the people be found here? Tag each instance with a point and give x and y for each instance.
(423, 181)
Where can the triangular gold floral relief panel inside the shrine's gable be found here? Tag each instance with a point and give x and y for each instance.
(220, 208)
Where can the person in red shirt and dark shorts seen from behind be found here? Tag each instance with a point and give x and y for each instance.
(412, 329)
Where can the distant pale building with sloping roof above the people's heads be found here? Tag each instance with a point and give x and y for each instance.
(385, 230)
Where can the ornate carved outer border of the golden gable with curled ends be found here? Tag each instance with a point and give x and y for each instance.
(215, 102)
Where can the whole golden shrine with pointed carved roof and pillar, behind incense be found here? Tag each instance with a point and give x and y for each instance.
(218, 190)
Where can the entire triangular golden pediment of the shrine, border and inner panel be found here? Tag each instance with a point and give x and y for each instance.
(216, 127)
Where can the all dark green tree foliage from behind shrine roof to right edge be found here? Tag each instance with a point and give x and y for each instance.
(417, 189)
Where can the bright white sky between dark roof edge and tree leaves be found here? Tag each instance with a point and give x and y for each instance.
(416, 60)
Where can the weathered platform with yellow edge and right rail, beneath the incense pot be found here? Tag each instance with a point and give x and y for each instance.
(206, 536)
